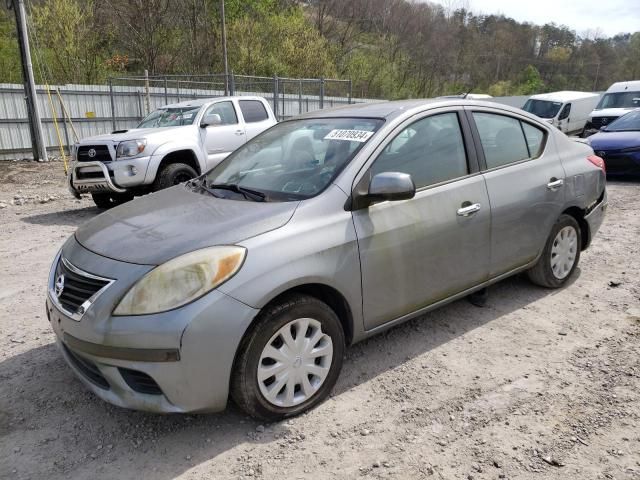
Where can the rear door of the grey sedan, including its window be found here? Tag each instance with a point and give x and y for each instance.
(525, 183)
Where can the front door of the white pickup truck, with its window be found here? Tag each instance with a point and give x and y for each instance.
(221, 140)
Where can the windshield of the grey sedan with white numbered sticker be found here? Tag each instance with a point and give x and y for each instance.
(293, 160)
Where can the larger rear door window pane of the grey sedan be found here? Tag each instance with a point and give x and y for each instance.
(502, 139)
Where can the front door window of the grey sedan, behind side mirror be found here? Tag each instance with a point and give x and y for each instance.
(431, 150)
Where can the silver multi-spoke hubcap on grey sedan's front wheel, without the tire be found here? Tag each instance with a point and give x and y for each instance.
(295, 363)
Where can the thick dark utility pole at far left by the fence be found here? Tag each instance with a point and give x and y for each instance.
(35, 125)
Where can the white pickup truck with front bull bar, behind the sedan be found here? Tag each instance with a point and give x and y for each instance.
(171, 145)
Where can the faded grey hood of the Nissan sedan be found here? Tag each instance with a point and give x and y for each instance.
(158, 227)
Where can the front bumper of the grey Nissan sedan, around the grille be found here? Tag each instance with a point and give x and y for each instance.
(176, 361)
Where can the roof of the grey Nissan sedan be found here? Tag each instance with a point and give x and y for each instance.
(396, 108)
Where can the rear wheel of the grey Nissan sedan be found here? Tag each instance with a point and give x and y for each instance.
(563, 246)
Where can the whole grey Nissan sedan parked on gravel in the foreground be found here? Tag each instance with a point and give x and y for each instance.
(251, 280)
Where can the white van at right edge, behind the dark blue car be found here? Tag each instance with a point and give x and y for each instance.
(620, 98)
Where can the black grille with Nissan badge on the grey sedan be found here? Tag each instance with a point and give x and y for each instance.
(72, 287)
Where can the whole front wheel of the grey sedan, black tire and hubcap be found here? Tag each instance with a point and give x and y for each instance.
(254, 359)
